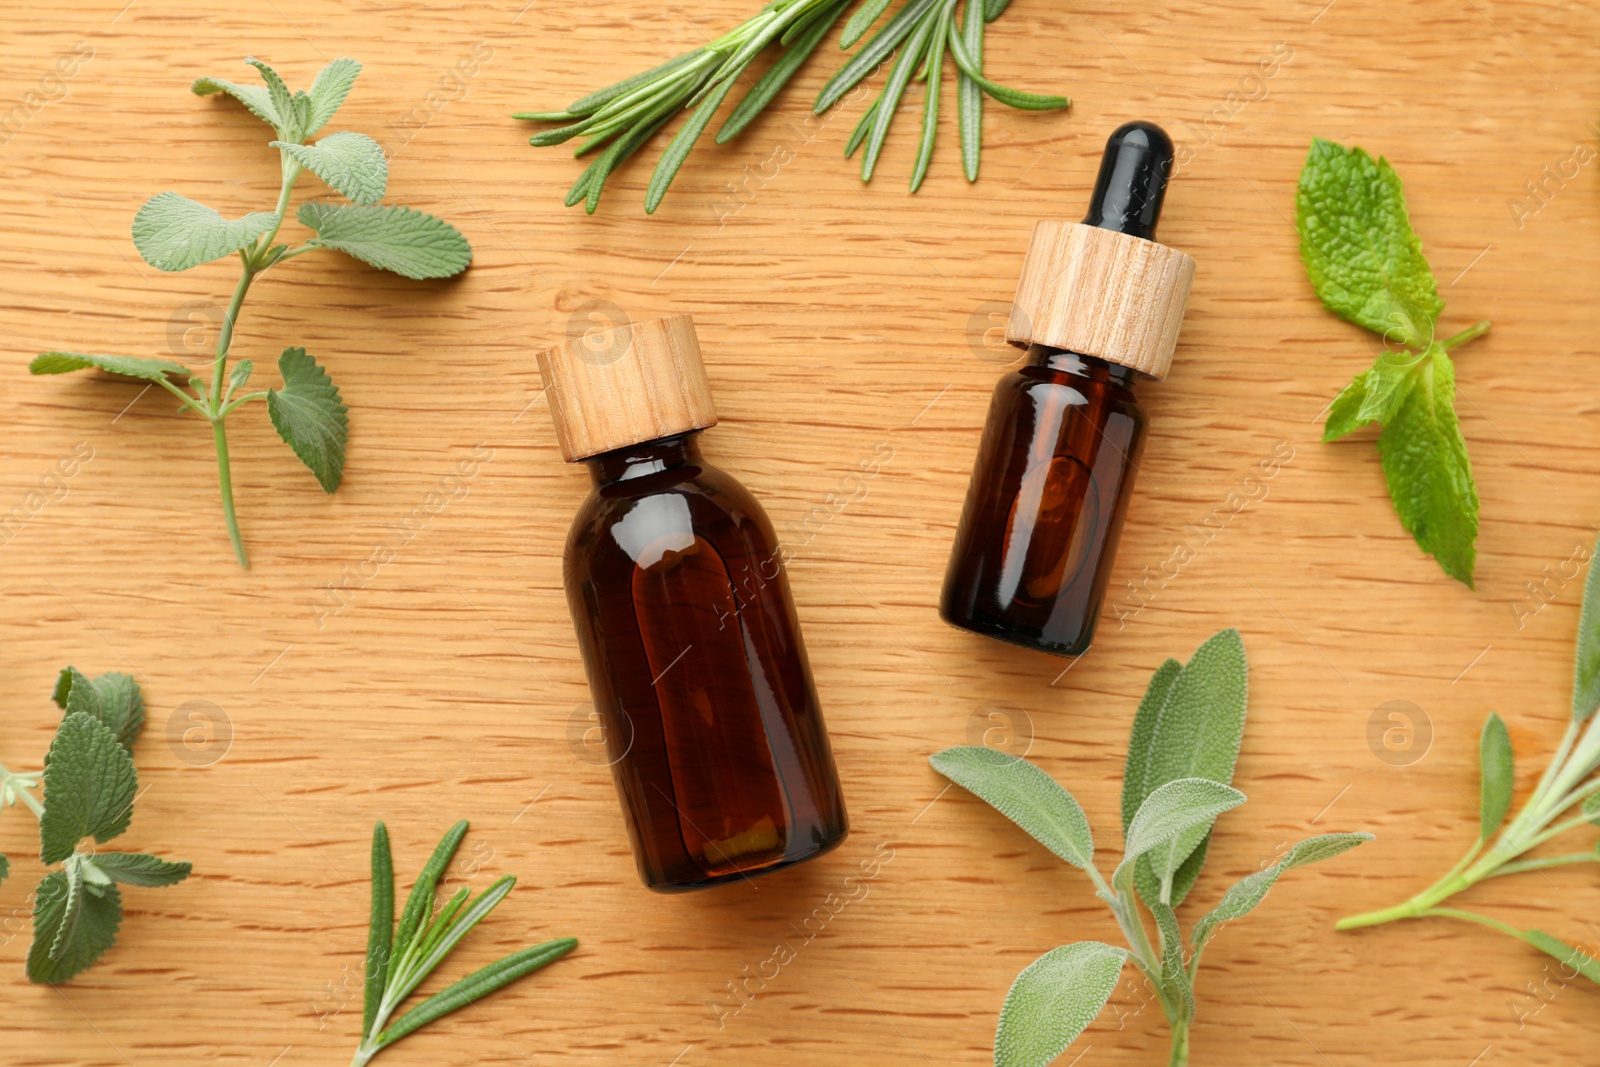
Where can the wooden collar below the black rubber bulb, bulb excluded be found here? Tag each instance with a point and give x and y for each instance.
(1110, 295)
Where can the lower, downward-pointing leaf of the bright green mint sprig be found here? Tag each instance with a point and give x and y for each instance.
(1428, 470)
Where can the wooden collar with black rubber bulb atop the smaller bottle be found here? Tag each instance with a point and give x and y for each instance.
(1105, 287)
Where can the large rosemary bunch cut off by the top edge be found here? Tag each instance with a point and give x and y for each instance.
(620, 119)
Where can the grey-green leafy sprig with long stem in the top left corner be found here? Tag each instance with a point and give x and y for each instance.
(175, 233)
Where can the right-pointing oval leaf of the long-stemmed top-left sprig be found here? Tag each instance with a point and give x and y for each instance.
(404, 241)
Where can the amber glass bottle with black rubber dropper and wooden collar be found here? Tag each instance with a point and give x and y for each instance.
(1098, 306)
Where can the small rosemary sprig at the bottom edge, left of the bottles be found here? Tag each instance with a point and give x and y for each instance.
(401, 957)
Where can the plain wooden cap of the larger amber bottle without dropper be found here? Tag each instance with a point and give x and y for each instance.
(625, 386)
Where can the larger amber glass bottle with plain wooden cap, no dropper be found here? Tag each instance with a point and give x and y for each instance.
(686, 623)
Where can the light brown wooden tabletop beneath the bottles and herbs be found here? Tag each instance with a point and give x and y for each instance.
(838, 319)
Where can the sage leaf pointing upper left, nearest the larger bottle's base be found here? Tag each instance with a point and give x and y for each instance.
(1023, 794)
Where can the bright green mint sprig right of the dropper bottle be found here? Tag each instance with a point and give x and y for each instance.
(1367, 266)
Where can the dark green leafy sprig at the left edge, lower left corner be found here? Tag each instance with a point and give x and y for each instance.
(90, 788)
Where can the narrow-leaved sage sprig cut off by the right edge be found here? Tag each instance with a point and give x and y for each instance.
(1567, 799)
